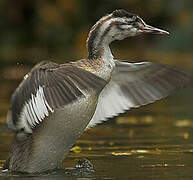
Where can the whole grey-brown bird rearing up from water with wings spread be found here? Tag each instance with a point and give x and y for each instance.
(55, 103)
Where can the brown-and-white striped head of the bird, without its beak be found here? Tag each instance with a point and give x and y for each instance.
(115, 26)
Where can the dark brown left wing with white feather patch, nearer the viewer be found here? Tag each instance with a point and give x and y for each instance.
(48, 87)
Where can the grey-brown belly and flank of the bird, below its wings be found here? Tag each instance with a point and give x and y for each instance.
(55, 137)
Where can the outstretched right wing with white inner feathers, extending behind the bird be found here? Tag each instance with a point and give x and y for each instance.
(137, 84)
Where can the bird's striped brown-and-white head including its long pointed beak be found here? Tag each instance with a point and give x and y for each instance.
(118, 25)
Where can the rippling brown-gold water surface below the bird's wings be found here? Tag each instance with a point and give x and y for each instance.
(152, 142)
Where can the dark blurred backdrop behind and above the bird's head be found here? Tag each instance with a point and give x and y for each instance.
(32, 30)
